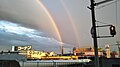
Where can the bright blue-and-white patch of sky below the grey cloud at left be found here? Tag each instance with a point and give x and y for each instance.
(13, 34)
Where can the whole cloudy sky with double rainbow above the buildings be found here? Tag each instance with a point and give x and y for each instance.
(48, 24)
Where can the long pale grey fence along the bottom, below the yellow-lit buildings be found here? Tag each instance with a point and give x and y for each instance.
(52, 64)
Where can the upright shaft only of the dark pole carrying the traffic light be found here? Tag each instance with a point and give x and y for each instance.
(94, 34)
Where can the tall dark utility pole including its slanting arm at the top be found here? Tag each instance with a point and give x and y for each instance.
(93, 30)
